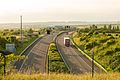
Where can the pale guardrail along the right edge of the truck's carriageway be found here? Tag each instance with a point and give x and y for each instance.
(100, 66)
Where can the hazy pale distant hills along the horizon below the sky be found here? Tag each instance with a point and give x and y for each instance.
(50, 24)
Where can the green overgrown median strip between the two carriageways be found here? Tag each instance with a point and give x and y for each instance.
(55, 62)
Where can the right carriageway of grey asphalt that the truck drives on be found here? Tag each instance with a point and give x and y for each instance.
(76, 61)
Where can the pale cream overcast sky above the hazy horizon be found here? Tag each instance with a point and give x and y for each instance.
(59, 10)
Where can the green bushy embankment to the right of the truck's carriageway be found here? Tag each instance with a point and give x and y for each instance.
(106, 48)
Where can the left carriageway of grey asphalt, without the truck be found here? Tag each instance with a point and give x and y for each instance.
(36, 56)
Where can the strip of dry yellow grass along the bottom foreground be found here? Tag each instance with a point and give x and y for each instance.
(110, 76)
